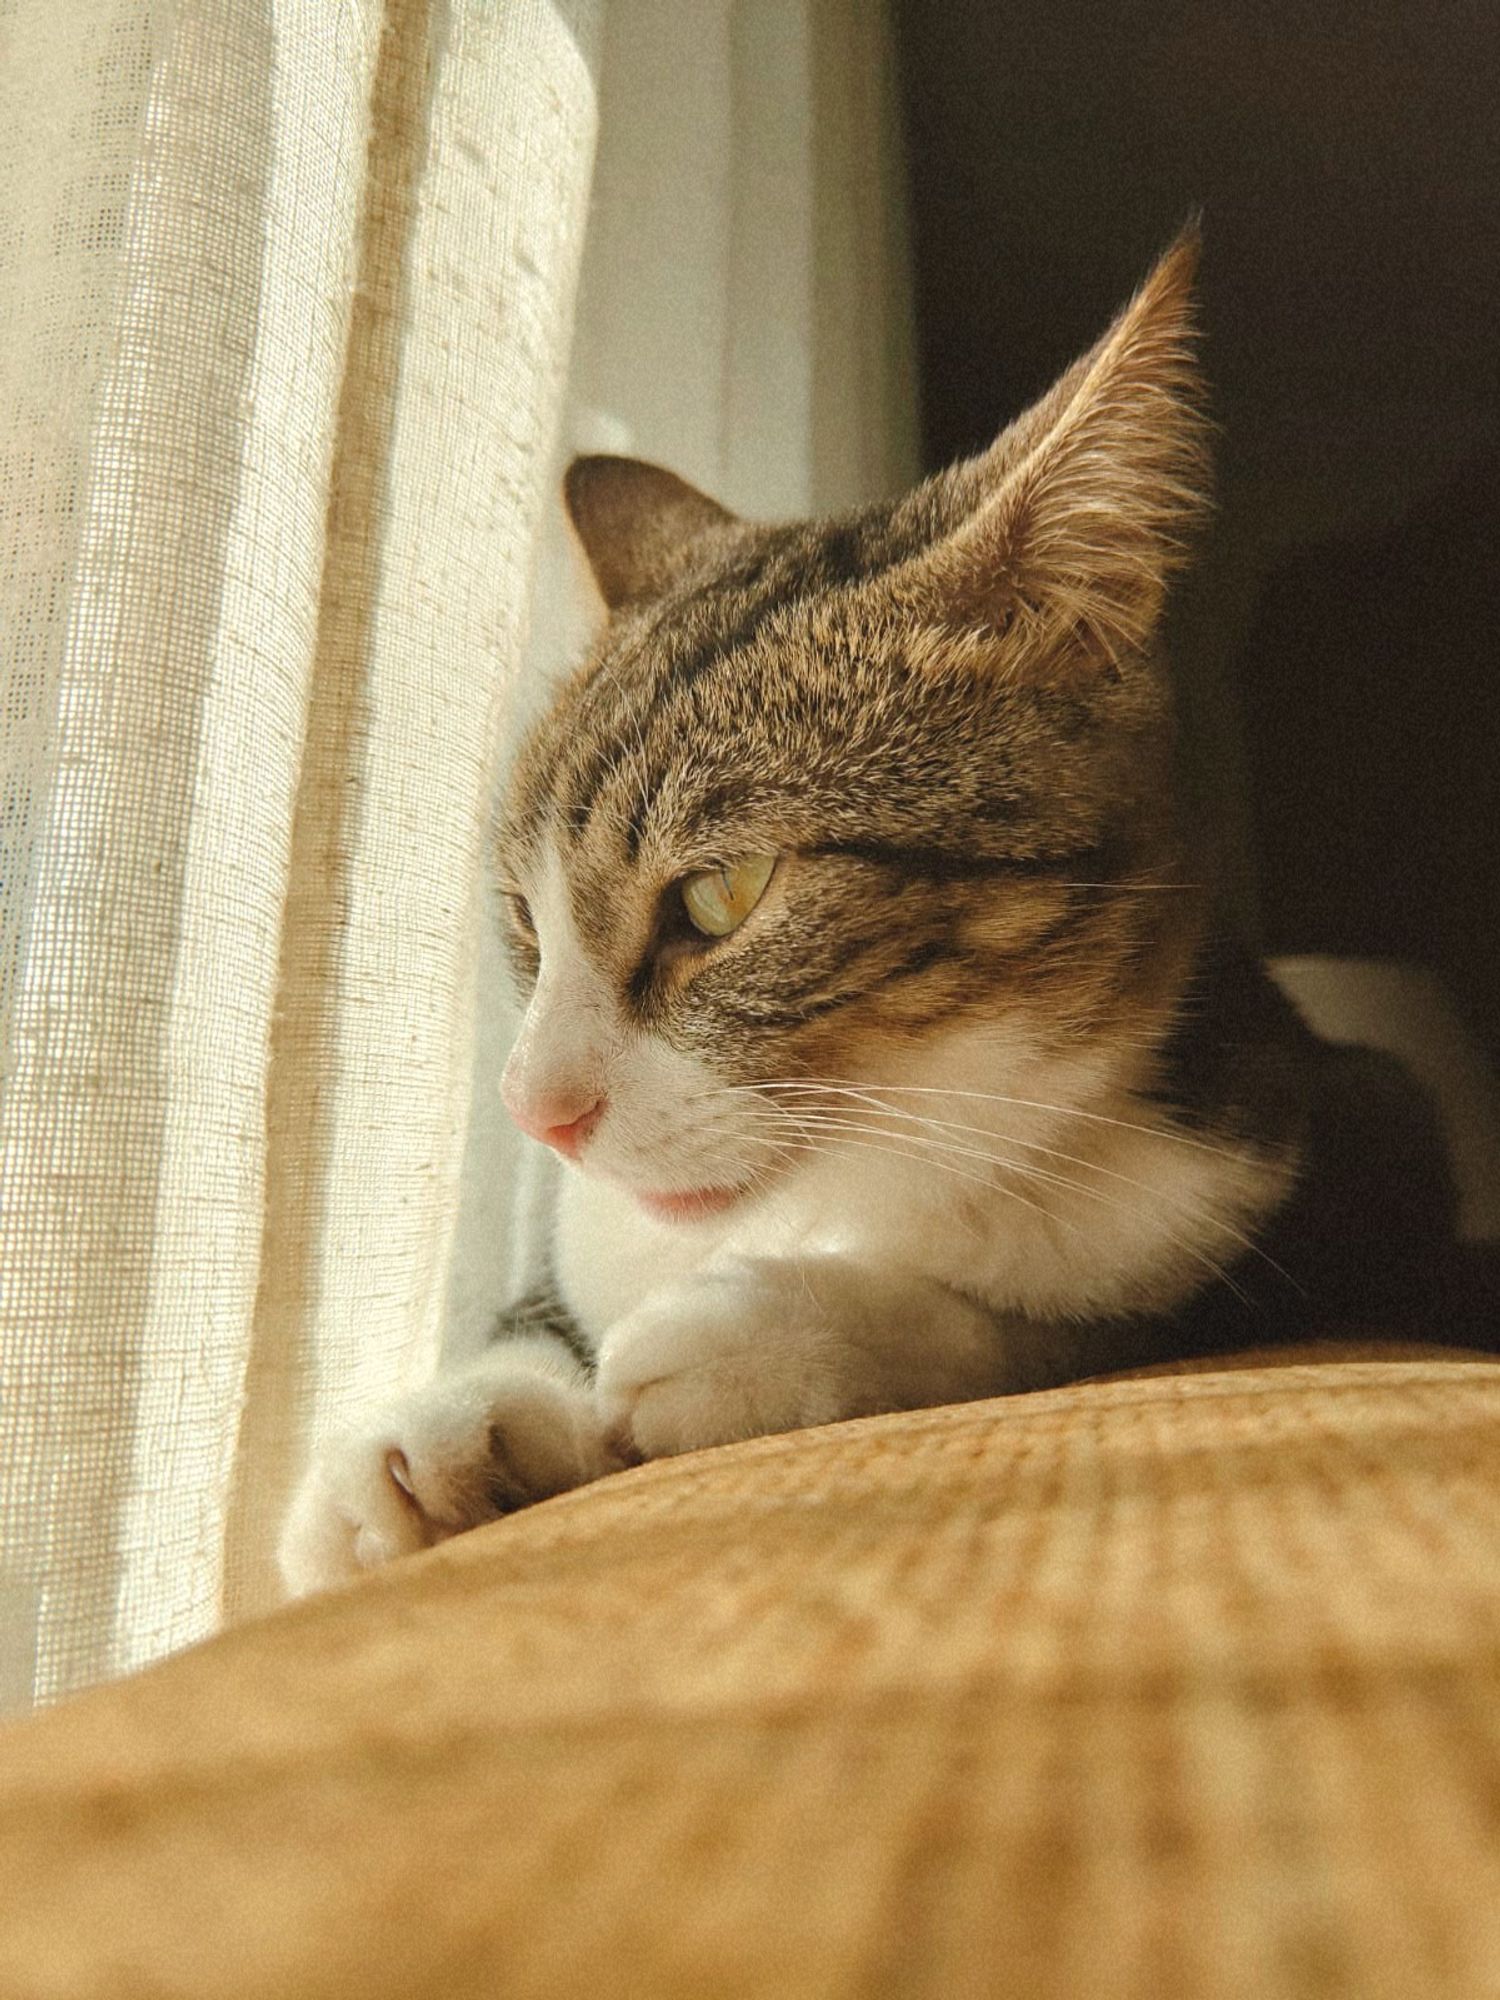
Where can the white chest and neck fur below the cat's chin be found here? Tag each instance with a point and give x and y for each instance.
(1051, 1203)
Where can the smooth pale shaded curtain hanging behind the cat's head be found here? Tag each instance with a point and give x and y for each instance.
(745, 319)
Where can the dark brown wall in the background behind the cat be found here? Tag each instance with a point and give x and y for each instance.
(1339, 641)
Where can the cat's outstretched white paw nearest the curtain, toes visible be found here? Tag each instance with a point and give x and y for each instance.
(483, 1441)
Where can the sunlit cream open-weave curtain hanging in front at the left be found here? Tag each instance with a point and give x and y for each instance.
(285, 293)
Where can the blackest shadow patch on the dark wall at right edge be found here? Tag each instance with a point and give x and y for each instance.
(1373, 723)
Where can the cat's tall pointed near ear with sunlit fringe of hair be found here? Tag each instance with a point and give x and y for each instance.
(1081, 509)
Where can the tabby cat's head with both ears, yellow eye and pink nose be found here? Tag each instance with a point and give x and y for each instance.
(833, 801)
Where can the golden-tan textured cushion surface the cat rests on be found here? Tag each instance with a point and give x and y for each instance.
(1165, 1687)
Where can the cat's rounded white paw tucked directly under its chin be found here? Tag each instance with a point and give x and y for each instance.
(737, 1353)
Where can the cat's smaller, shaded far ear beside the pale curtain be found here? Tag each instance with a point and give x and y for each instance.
(639, 523)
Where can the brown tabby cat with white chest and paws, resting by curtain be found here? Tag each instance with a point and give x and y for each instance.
(875, 999)
